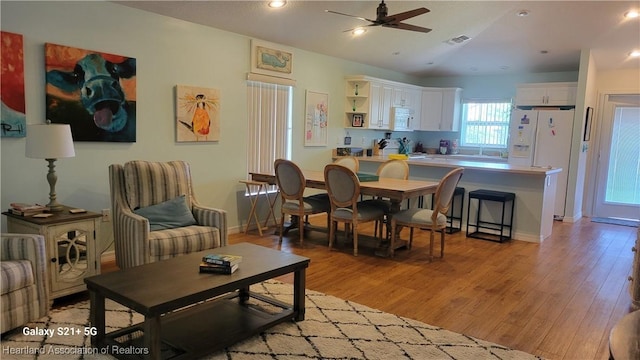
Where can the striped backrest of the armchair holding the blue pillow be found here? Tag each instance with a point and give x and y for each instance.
(149, 182)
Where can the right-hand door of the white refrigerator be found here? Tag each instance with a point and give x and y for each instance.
(553, 148)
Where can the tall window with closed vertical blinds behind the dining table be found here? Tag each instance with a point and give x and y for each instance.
(269, 136)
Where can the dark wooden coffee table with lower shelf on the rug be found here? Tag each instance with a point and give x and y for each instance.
(189, 314)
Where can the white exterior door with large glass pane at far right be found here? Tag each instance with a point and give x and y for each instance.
(618, 169)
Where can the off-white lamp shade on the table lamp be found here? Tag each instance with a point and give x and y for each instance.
(49, 141)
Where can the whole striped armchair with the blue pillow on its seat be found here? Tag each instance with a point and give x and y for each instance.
(140, 184)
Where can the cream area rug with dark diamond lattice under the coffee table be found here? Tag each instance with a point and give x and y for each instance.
(333, 329)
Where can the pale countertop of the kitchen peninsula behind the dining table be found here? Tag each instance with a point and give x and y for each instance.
(494, 164)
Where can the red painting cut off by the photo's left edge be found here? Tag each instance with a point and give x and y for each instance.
(12, 86)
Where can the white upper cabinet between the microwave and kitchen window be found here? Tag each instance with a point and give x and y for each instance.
(440, 110)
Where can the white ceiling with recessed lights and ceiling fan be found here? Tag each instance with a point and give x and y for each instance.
(549, 39)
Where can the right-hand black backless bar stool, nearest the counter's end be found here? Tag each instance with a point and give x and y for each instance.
(496, 196)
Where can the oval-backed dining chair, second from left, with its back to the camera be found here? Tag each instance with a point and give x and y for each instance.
(343, 187)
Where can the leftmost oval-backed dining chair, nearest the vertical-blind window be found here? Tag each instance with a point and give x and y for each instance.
(292, 184)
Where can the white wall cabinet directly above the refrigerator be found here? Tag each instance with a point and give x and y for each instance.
(546, 94)
